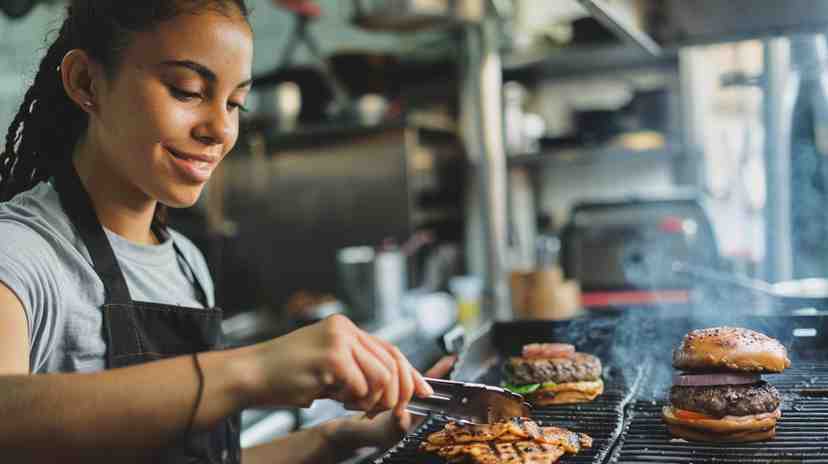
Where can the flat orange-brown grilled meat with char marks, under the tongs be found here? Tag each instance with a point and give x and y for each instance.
(515, 441)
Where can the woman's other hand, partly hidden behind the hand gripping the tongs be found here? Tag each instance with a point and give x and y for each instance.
(386, 429)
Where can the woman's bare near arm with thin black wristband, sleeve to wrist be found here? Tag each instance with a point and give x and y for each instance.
(120, 415)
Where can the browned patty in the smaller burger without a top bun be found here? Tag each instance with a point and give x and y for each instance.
(579, 368)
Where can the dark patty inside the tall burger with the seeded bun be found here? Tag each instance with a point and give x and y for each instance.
(727, 400)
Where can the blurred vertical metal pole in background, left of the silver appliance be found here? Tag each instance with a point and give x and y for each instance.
(481, 100)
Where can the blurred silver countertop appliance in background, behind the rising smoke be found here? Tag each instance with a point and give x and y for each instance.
(632, 244)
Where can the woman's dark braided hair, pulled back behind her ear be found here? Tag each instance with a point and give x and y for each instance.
(48, 123)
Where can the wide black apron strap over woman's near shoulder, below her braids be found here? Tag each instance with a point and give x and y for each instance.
(78, 205)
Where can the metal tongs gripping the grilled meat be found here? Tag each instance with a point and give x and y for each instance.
(470, 402)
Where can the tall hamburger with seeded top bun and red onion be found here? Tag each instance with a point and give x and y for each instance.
(720, 395)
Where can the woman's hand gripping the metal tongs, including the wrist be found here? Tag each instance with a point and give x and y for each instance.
(333, 359)
